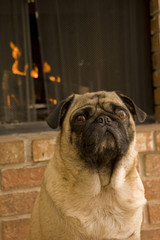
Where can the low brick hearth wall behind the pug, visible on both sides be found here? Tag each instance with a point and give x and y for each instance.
(23, 159)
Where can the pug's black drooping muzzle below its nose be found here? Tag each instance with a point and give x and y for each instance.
(100, 148)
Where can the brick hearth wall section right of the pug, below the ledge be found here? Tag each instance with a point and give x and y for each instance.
(148, 146)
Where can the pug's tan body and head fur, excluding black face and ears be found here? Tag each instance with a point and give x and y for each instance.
(76, 203)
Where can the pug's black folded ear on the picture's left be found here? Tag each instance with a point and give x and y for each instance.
(56, 117)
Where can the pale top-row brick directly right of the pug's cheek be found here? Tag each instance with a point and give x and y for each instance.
(144, 141)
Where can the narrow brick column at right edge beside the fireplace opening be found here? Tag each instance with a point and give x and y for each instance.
(155, 48)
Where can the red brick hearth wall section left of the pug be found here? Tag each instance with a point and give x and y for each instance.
(23, 159)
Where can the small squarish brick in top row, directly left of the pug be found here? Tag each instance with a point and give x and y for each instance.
(43, 149)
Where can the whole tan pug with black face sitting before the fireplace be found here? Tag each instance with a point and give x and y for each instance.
(91, 188)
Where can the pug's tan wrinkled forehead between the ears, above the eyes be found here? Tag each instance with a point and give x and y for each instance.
(102, 99)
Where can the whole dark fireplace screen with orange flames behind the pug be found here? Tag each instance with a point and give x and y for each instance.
(50, 49)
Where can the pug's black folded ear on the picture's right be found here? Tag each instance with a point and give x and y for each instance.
(135, 111)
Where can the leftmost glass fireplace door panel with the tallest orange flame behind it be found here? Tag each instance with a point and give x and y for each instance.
(17, 100)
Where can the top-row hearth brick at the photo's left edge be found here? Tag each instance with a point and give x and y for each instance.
(12, 152)
